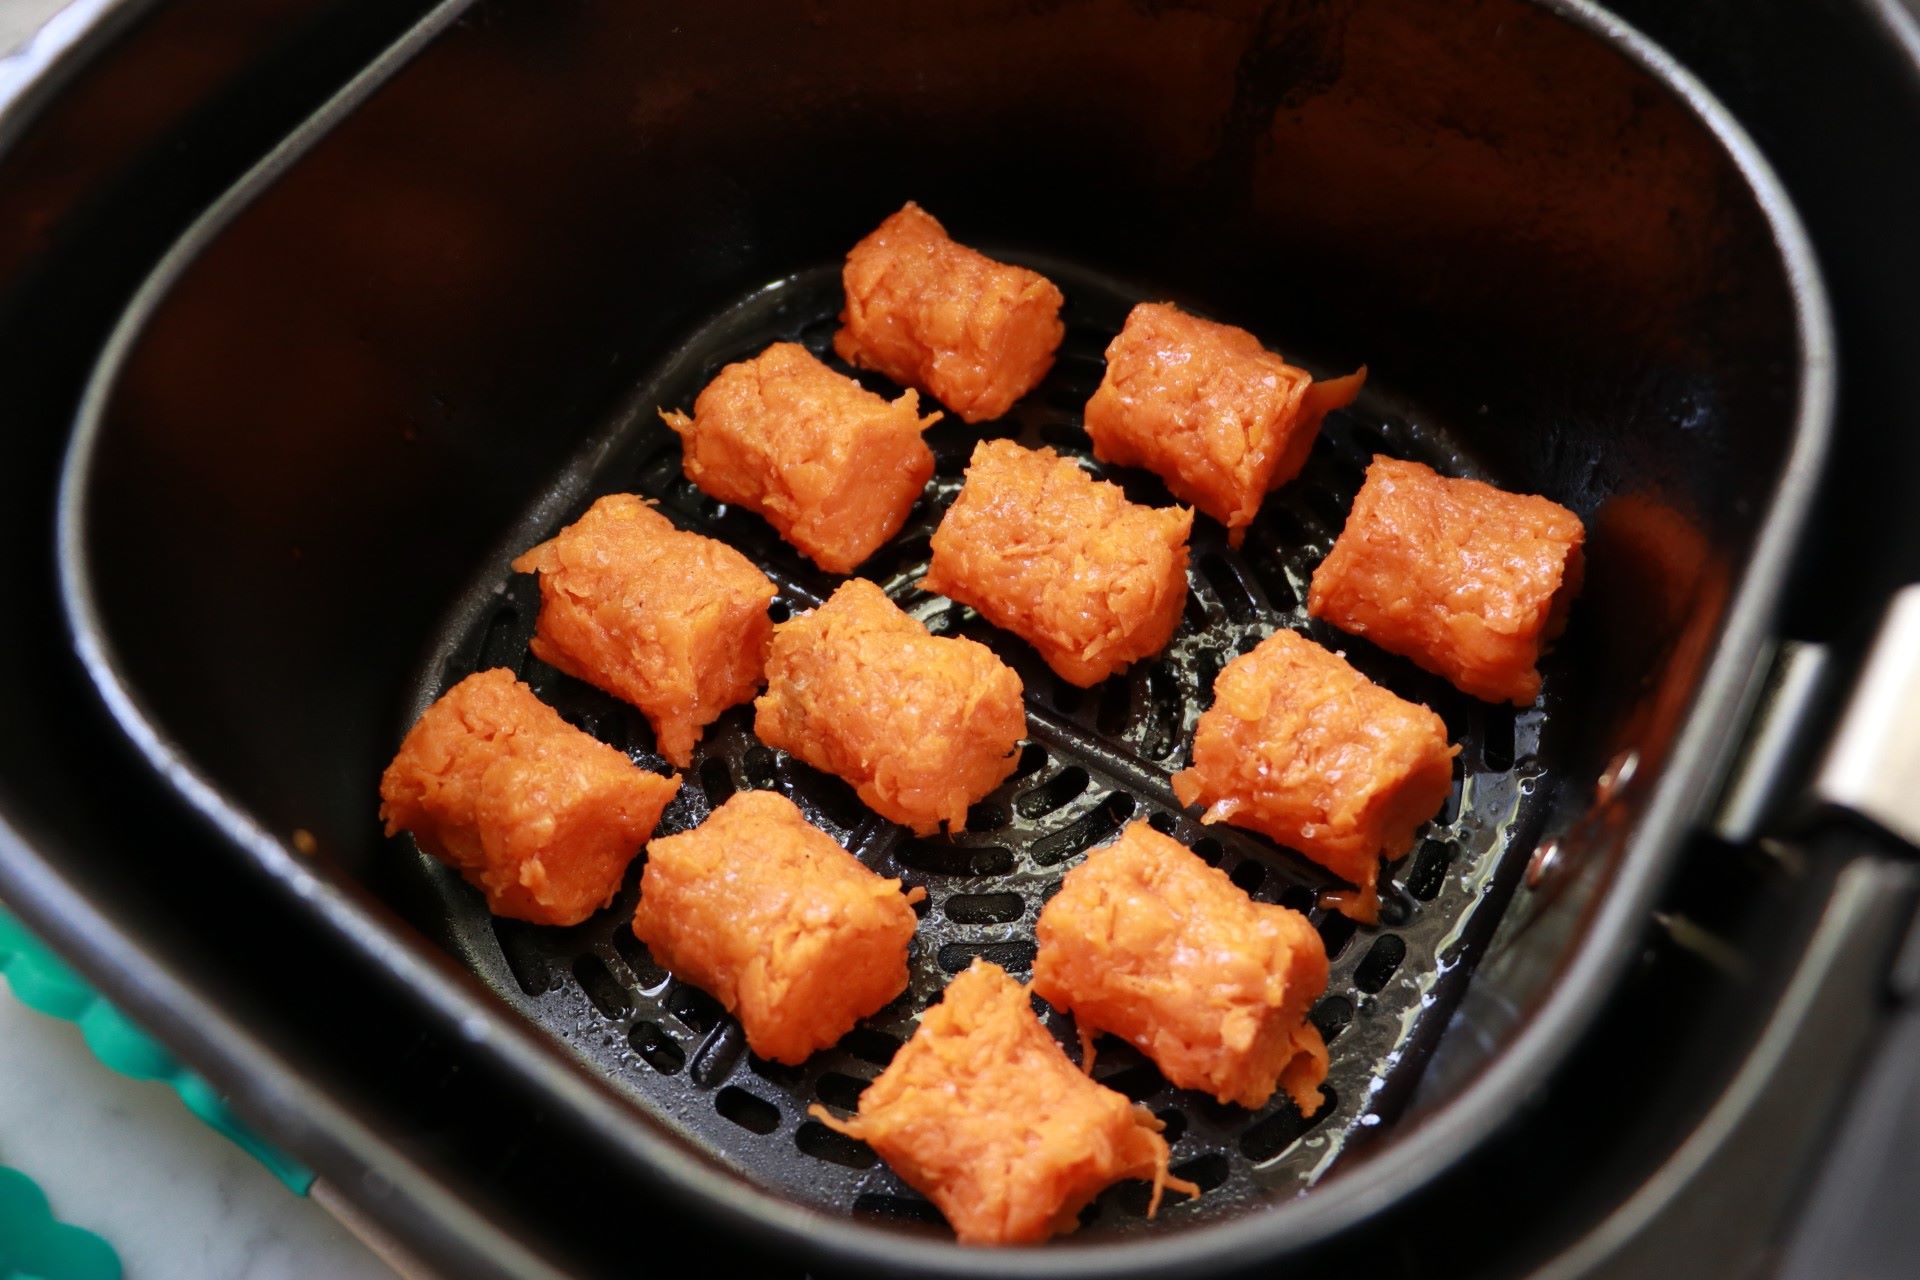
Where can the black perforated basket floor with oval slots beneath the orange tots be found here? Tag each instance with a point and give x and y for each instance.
(1095, 761)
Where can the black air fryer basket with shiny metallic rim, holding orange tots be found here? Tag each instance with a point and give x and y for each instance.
(439, 323)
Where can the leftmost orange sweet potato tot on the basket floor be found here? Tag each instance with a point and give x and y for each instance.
(529, 809)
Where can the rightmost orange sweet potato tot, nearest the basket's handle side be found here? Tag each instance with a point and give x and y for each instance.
(1464, 579)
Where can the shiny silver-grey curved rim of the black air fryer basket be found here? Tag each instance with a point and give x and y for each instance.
(1424, 1150)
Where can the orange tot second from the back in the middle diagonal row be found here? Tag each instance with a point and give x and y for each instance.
(1063, 561)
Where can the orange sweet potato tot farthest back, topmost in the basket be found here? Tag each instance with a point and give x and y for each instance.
(930, 314)
